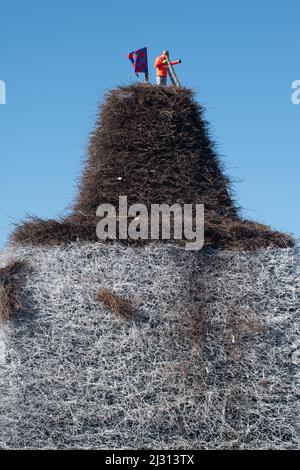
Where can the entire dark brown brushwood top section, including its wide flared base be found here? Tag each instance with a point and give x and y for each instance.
(152, 144)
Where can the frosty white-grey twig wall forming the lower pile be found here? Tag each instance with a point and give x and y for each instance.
(74, 375)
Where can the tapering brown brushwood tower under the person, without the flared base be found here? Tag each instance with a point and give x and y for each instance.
(151, 144)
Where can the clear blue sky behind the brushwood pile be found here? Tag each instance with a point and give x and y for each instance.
(58, 57)
